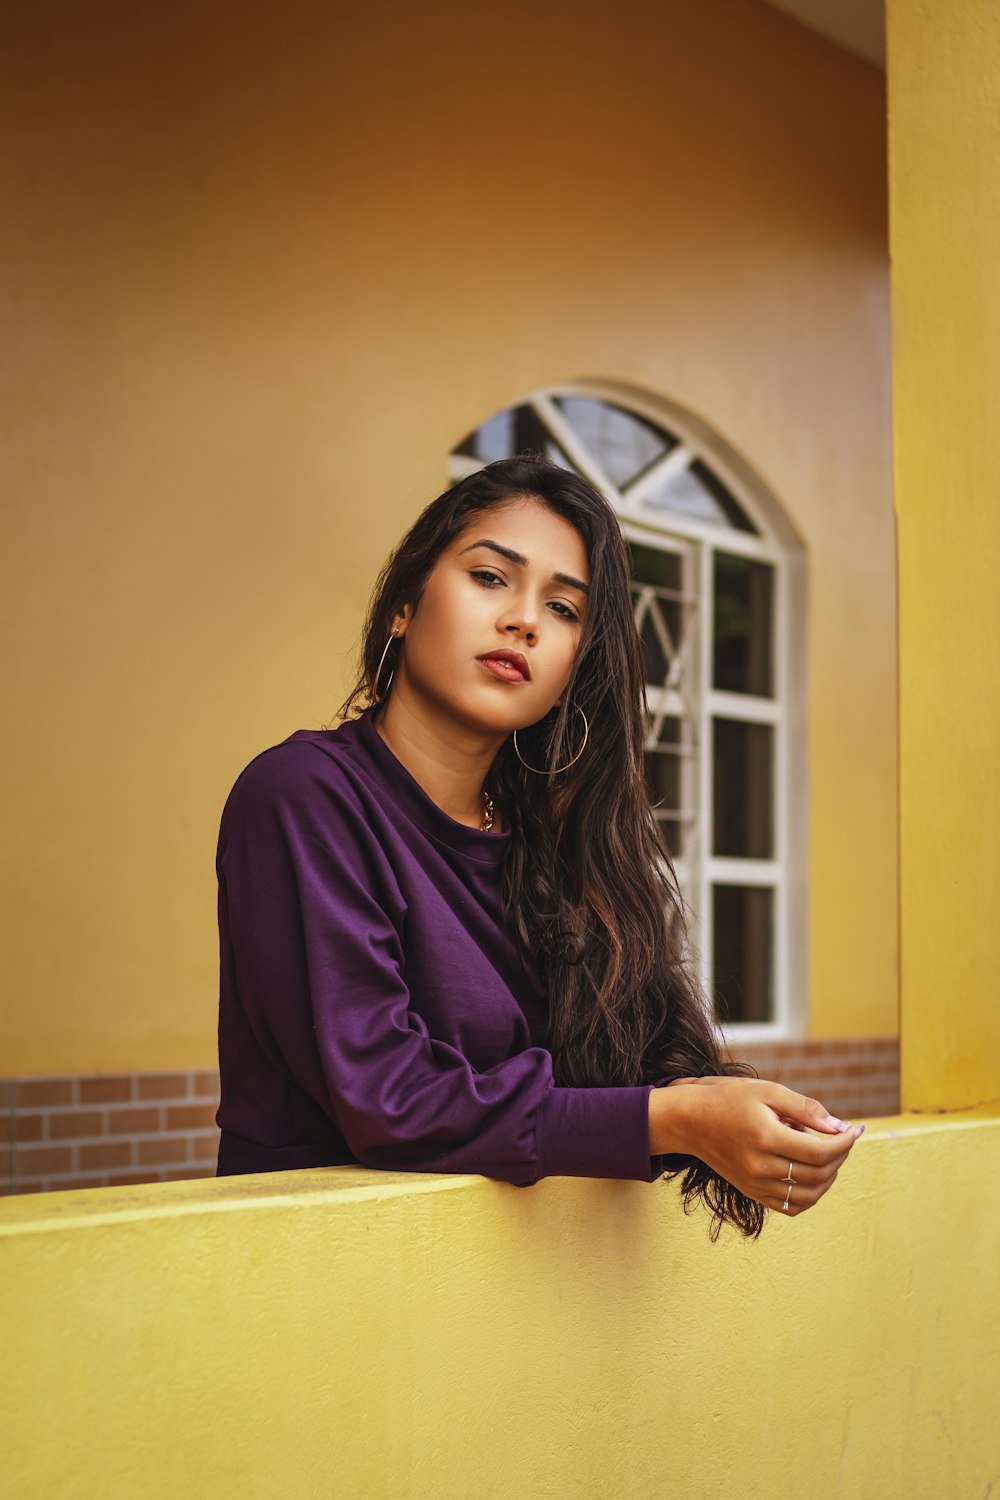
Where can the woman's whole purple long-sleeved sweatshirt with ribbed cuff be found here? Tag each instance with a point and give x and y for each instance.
(373, 1006)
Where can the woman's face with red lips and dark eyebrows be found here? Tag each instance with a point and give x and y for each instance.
(493, 641)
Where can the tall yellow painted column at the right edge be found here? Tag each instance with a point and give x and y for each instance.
(945, 230)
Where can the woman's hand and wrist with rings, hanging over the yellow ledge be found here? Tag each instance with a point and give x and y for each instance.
(750, 1132)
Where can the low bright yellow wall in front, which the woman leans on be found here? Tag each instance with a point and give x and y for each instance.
(368, 1337)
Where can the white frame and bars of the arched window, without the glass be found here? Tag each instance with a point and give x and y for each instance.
(777, 544)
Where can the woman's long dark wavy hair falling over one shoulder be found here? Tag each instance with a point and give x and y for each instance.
(587, 884)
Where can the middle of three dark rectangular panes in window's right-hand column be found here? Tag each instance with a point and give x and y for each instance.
(743, 790)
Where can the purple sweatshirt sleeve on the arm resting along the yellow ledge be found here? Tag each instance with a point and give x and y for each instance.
(317, 925)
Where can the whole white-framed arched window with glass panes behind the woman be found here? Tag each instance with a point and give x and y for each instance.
(720, 608)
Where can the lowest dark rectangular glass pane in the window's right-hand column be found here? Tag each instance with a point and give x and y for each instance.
(743, 950)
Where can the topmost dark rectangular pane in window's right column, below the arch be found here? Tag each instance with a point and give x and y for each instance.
(743, 626)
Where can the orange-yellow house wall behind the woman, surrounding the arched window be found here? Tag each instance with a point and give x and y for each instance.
(268, 266)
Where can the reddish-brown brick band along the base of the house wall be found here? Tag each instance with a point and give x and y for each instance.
(112, 1130)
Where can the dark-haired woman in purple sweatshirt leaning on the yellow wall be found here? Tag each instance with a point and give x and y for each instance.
(451, 938)
